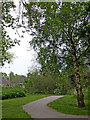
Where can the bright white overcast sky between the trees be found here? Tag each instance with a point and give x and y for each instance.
(25, 56)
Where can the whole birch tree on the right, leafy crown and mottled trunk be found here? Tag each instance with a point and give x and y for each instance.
(59, 29)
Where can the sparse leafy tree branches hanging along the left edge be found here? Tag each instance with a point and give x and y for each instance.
(6, 21)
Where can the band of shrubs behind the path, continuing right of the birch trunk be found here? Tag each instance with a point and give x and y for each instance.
(56, 83)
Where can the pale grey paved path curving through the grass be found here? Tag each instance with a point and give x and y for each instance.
(39, 109)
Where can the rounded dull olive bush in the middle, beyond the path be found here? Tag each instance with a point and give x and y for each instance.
(42, 85)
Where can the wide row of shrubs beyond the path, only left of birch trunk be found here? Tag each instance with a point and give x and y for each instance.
(48, 84)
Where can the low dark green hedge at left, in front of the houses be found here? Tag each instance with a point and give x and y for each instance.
(12, 93)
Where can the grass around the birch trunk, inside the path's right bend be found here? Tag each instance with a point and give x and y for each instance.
(68, 105)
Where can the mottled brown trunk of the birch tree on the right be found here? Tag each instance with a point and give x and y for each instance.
(80, 96)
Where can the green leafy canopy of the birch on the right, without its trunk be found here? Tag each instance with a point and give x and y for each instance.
(51, 23)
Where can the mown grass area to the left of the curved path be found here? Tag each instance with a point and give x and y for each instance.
(12, 108)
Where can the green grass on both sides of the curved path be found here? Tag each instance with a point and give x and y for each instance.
(12, 108)
